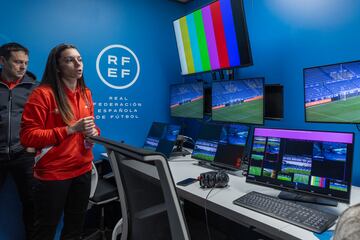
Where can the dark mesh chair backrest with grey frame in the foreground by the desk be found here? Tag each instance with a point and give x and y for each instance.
(147, 193)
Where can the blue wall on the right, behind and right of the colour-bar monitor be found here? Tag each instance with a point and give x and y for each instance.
(287, 36)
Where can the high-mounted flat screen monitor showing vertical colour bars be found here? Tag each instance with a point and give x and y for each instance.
(213, 37)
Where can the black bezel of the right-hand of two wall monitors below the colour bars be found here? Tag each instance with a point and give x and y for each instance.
(263, 99)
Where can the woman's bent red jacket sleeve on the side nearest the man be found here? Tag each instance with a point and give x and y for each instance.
(33, 132)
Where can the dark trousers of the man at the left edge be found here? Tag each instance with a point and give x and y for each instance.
(20, 167)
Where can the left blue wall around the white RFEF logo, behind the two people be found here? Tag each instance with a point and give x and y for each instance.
(143, 26)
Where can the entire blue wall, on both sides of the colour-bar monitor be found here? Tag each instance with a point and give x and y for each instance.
(285, 36)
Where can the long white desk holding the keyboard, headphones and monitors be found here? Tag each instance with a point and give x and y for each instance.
(220, 201)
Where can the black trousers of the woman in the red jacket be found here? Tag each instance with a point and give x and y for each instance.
(52, 198)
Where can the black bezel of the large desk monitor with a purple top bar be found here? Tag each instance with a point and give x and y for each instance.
(293, 190)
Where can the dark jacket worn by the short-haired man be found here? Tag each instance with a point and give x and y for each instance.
(11, 107)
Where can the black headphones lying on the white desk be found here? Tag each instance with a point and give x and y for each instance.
(213, 179)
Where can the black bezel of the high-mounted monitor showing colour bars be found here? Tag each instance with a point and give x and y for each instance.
(247, 39)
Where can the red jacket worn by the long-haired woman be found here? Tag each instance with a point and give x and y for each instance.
(59, 156)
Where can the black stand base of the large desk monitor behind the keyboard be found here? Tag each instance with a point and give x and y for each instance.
(305, 198)
